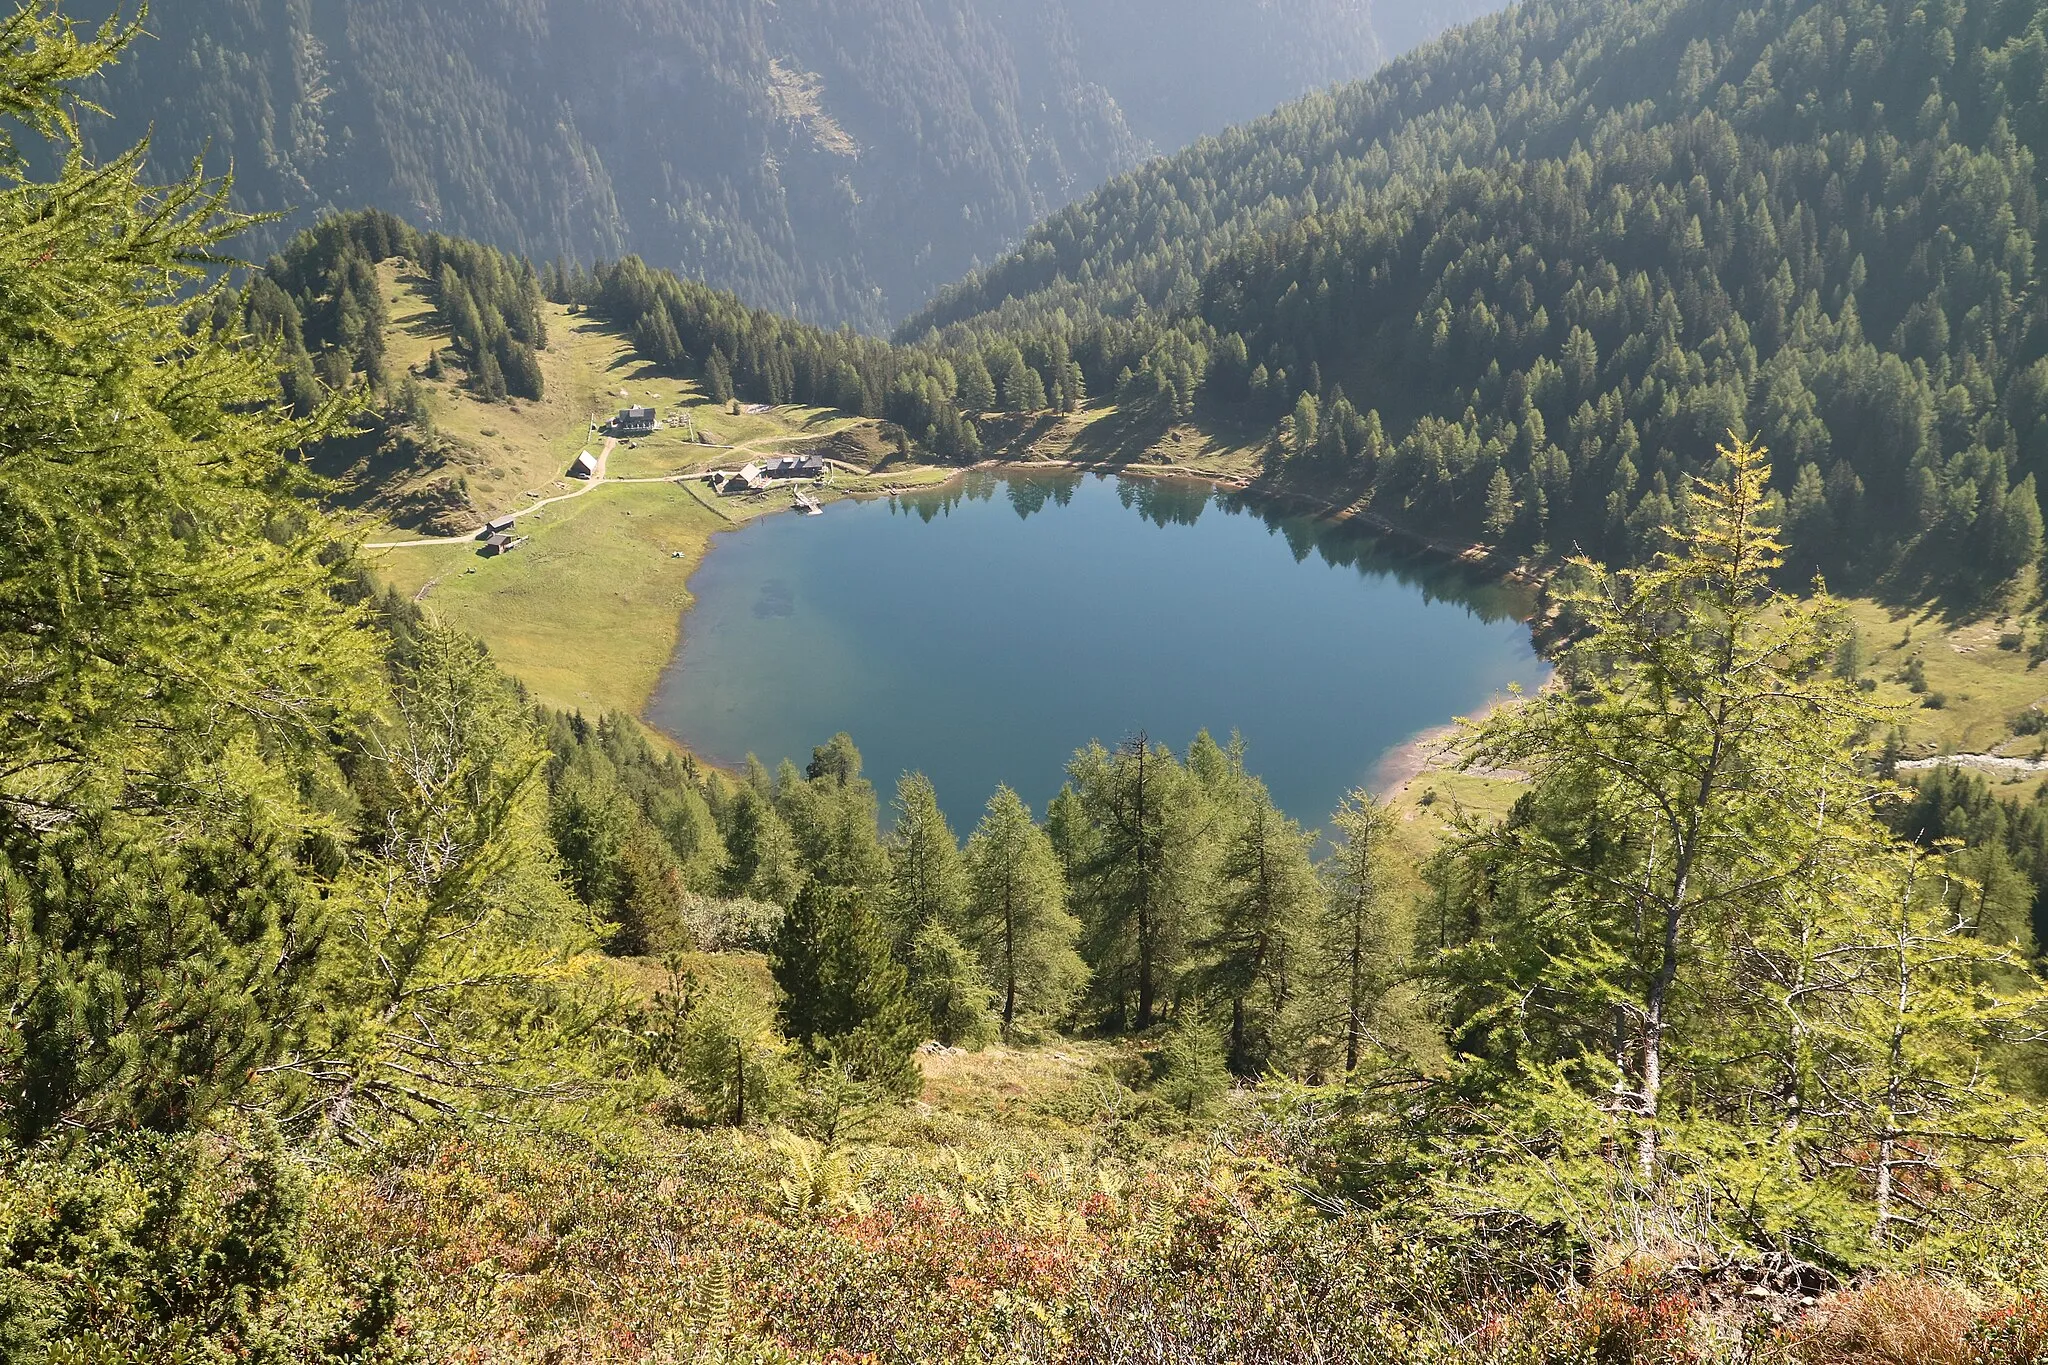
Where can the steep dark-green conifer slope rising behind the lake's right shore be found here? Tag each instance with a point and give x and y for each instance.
(1521, 281)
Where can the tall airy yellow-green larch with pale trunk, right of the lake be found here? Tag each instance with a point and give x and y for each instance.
(1684, 777)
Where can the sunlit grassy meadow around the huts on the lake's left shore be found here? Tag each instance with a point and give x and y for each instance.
(589, 611)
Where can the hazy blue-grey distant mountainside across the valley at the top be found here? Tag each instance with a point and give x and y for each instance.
(830, 161)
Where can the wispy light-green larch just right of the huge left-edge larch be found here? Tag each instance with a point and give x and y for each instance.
(452, 946)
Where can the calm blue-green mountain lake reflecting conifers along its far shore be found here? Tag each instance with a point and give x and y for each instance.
(986, 631)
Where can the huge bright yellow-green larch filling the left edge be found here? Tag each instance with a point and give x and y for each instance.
(173, 648)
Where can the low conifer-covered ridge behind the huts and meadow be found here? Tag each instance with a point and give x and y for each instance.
(323, 304)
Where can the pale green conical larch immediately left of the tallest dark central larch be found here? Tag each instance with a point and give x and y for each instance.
(1019, 916)
